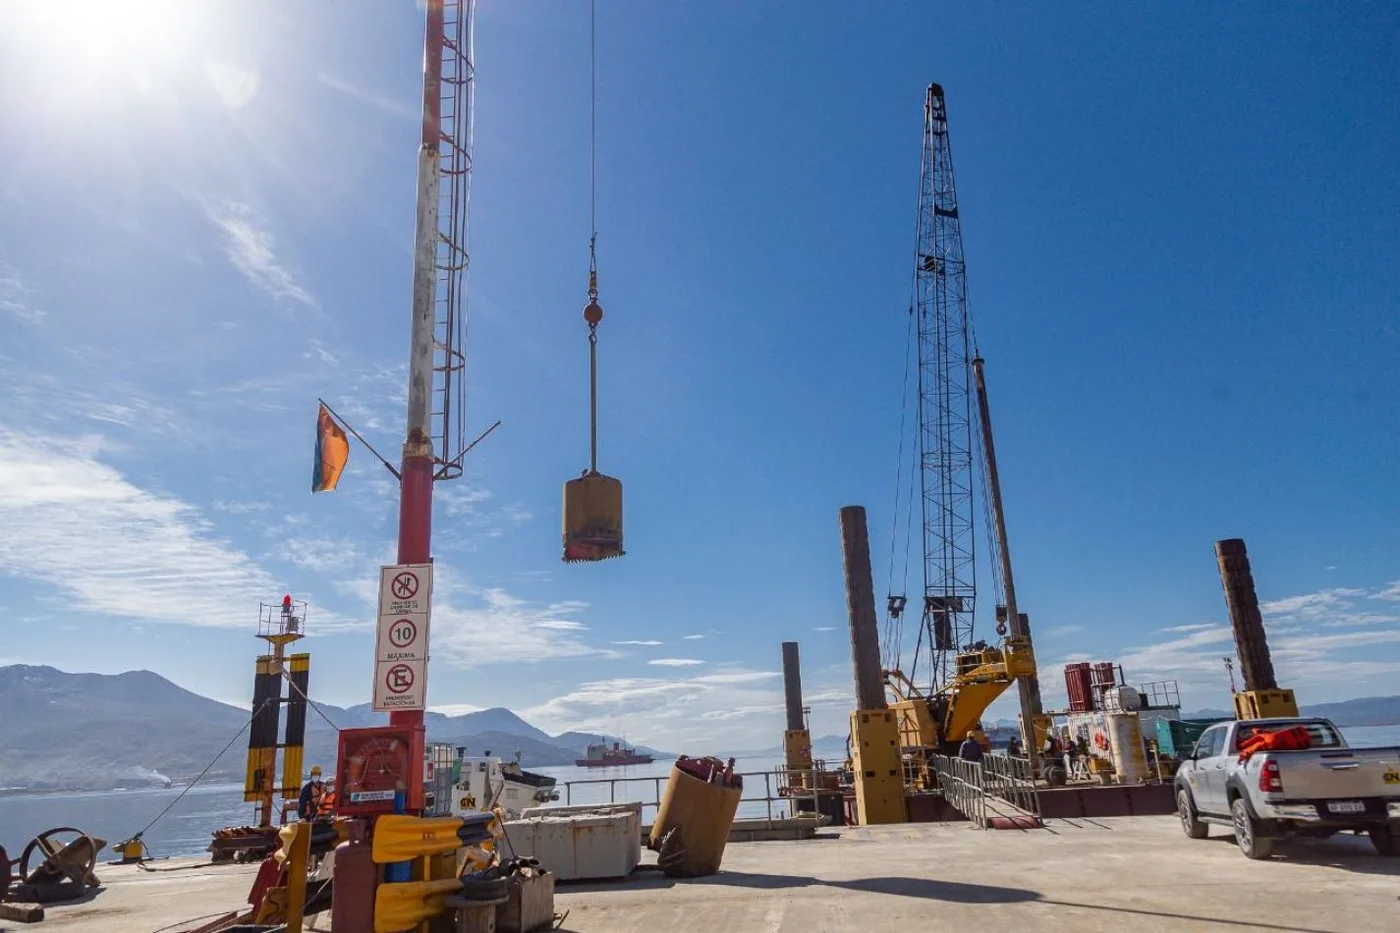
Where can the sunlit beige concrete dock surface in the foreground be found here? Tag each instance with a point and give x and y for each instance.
(1077, 876)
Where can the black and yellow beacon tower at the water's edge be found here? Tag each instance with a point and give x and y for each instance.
(279, 626)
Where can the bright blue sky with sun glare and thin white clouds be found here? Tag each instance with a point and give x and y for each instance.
(1182, 228)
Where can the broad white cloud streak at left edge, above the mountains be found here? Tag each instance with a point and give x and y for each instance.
(78, 526)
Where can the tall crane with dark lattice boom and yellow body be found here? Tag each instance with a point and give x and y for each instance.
(964, 676)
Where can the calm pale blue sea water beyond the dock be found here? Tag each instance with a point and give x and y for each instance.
(185, 830)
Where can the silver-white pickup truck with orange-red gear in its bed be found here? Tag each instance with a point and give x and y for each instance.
(1321, 791)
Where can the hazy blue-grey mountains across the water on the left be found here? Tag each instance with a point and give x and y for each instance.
(97, 732)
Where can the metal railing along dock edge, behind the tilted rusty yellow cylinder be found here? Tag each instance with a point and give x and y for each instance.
(782, 792)
